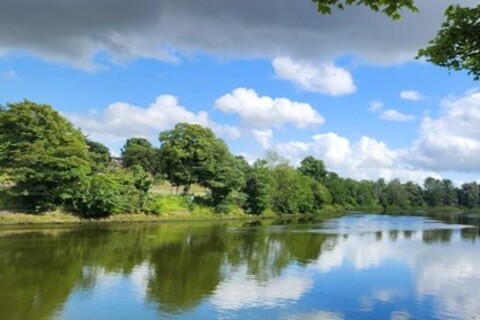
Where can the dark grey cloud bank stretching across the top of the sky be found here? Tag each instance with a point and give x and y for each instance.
(75, 31)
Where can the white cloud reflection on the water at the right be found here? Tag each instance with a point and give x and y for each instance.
(448, 272)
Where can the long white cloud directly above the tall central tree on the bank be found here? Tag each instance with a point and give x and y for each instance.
(122, 120)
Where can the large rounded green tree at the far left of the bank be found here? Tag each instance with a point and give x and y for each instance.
(47, 157)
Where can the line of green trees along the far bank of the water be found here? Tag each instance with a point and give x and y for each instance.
(47, 164)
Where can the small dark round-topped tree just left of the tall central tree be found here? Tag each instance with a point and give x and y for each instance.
(139, 151)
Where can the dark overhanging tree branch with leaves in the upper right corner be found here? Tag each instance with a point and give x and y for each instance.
(457, 44)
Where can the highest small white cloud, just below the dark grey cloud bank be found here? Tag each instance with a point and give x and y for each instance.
(323, 78)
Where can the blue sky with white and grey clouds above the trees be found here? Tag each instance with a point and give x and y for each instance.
(263, 75)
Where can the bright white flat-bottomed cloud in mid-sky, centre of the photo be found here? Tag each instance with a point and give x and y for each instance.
(265, 112)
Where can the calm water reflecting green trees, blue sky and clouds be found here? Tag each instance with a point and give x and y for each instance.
(354, 267)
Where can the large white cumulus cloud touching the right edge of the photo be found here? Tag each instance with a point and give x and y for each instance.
(451, 141)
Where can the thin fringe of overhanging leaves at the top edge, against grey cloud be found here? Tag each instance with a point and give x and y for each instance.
(391, 8)
